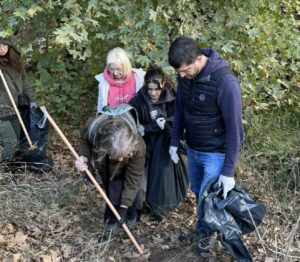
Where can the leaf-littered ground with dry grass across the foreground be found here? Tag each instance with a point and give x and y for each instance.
(56, 217)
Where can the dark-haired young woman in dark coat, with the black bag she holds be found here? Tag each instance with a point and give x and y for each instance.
(155, 107)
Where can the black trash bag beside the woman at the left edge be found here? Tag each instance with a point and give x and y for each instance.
(37, 127)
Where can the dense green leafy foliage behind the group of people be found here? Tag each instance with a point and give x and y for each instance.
(65, 43)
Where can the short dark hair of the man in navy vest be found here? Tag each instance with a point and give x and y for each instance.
(183, 50)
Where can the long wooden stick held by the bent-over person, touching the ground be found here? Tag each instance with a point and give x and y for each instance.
(106, 199)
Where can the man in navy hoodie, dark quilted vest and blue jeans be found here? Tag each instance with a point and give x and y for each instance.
(208, 107)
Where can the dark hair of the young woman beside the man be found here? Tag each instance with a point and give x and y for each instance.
(154, 75)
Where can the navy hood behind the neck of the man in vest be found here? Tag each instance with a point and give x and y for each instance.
(214, 63)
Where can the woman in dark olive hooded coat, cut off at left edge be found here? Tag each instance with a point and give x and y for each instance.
(15, 77)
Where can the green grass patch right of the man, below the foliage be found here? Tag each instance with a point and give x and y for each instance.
(272, 149)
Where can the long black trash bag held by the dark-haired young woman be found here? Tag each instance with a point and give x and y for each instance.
(167, 183)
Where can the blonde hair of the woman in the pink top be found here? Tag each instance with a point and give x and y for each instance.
(120, 57)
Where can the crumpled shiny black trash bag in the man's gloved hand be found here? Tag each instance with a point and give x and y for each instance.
(236, 215)
